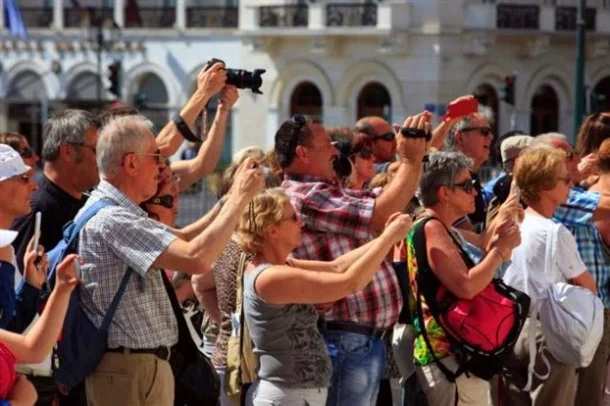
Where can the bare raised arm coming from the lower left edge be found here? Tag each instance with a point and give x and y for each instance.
(38, 342)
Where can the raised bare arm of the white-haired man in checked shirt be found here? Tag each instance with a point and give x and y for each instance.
(197, 256)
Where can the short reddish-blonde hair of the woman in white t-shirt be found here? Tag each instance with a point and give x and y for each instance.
(536, 170)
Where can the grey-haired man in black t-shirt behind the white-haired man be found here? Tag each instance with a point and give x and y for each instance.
(70, 169)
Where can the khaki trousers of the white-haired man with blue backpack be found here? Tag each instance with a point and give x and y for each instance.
(131, 379)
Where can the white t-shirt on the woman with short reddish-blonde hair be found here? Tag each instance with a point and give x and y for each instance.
(531, 256)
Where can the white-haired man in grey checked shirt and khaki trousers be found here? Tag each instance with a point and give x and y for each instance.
(121, 238)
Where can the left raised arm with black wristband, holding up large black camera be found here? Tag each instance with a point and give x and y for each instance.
(208, 84)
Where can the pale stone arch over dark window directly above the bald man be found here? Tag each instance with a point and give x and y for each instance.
(361, 74)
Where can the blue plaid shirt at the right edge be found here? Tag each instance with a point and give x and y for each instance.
(577, 216)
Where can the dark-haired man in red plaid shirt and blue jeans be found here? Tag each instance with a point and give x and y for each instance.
(337, 221)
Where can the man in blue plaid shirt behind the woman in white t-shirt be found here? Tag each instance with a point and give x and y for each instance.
(579, 214)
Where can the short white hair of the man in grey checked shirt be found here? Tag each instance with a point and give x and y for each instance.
(120, 136)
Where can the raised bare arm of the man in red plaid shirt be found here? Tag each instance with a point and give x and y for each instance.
(396, 196)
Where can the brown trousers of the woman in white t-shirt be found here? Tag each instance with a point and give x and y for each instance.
(559, 389)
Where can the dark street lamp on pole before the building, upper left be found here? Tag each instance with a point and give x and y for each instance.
(103, 34)
